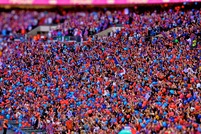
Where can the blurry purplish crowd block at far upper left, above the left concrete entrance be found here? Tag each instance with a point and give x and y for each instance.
(16, 22)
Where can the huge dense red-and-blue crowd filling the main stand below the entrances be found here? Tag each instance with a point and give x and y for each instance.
(130, 78)
